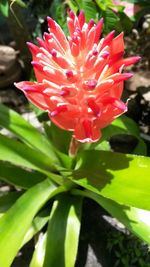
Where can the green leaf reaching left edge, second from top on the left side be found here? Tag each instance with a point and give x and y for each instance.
(21, 154)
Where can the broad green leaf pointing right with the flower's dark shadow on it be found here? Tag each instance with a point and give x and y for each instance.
(120, 177)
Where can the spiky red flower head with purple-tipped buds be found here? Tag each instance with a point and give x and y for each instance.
(79, 79)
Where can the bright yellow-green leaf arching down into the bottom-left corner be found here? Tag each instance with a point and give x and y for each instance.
(17, 220)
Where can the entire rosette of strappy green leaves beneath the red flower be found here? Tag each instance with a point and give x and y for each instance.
(39, 165)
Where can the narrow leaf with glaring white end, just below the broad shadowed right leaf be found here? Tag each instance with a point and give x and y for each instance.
(136, 220)
